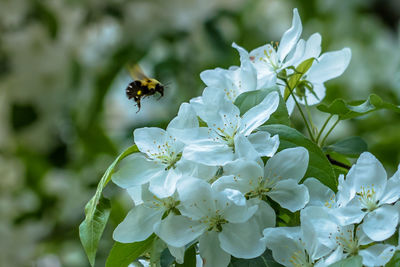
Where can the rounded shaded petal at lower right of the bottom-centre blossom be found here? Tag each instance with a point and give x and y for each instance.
(242, 240)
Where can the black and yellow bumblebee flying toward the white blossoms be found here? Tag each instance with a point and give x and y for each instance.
(142, 86)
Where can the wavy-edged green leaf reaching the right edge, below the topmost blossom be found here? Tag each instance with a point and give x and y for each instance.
(357, 108)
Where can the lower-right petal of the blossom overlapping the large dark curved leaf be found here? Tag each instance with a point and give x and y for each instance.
(290, 195)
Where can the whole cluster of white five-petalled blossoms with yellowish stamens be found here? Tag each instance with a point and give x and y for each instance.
(214, 179)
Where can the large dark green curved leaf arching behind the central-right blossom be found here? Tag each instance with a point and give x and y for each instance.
(319, 166)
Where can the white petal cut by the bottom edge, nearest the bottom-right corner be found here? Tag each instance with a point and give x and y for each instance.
(377, 255)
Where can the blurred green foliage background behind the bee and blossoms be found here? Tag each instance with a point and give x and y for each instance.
(64, 115)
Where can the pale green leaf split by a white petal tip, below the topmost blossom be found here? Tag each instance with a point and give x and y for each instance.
(247, 100)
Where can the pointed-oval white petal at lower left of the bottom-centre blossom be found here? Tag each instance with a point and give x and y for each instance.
(179, 231)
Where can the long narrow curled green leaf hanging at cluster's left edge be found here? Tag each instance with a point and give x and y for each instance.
(97, 211)
